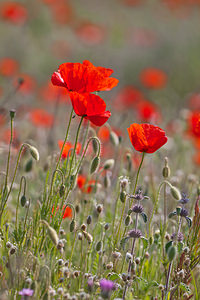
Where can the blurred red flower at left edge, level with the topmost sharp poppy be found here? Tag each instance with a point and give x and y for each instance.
(8, 67)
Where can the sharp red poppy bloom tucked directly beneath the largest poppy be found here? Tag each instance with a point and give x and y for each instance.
(90, 106)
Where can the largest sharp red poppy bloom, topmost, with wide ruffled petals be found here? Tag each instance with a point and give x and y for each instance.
(83, 78)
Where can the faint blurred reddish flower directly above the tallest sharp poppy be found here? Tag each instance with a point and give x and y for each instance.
(90, 34)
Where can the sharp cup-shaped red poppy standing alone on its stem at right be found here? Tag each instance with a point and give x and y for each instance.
(146, 137)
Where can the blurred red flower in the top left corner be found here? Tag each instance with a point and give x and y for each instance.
(13, 12)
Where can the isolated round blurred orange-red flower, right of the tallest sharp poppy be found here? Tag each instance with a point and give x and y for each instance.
(153, 78)
